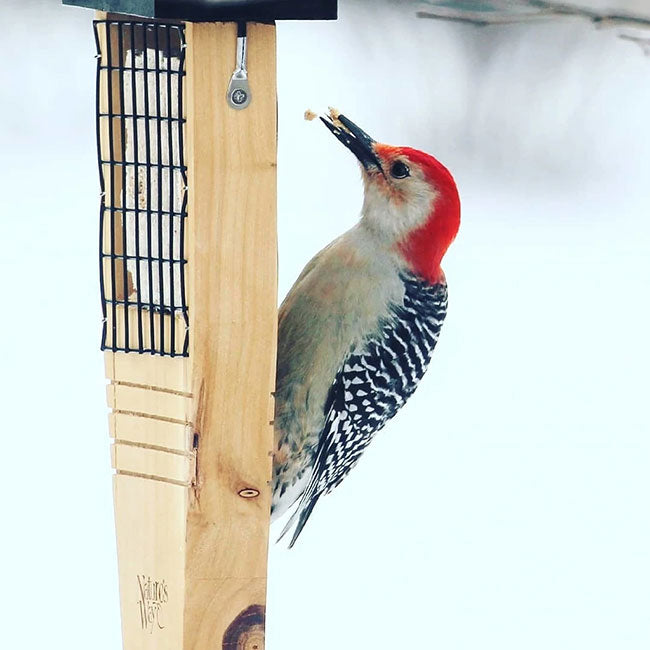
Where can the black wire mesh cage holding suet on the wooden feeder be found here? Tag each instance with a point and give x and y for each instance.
(143, 175)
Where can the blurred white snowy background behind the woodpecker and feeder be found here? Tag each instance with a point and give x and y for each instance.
(506, 507)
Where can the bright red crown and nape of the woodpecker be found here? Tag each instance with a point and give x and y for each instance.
(425, 247)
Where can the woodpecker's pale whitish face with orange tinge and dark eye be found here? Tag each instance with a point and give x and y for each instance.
(398, 198)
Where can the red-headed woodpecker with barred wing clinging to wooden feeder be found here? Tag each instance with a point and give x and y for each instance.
(358, 327)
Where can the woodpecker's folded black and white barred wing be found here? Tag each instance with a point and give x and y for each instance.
(370, 387)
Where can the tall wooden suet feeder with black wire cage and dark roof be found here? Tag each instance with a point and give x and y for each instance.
(186, 134)
